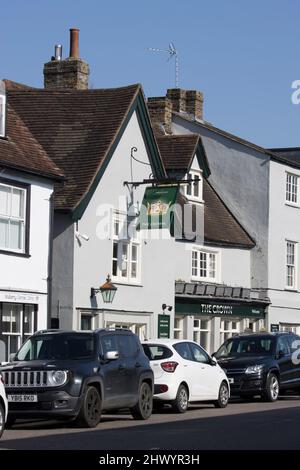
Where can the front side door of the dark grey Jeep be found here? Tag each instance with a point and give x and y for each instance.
(113, 373)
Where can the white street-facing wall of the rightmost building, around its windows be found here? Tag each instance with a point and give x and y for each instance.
(284, 224)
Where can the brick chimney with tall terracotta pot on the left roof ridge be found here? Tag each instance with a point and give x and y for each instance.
(70, 73)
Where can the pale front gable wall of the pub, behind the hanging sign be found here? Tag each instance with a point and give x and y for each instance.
(93, 259)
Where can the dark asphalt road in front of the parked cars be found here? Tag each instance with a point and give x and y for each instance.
(242, 425)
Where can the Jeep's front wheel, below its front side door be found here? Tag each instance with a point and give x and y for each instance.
(90, 413)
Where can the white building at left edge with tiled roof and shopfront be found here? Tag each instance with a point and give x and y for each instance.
(27, 176)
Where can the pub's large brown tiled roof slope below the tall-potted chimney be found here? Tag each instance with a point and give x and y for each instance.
(76, 128)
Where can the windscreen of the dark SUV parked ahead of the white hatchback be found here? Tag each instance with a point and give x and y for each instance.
(246, 346)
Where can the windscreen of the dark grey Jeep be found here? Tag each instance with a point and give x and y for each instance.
(58, 347)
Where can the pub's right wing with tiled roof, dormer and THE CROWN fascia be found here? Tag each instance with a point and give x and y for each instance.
(213, 294)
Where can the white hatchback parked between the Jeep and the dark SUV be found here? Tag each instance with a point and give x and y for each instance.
(184, 373)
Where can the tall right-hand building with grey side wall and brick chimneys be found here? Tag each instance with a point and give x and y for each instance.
(260, 187)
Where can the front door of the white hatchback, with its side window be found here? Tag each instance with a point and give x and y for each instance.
(207, 378)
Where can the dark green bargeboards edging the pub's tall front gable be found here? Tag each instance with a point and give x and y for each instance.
(139, 106)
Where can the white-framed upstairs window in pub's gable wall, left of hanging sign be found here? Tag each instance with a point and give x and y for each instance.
(129, 243)
